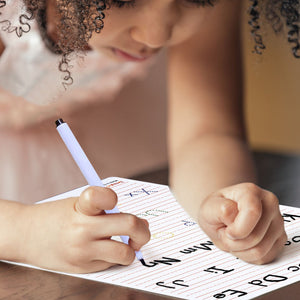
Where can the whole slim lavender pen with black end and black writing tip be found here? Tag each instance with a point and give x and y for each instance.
(86, 168)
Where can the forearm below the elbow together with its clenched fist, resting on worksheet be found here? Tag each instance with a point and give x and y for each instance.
(242, 219)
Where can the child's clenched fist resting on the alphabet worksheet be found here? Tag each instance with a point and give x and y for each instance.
(244, 220)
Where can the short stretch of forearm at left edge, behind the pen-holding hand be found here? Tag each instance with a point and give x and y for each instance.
(12, 230)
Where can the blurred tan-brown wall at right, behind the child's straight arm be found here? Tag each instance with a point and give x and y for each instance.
(272, 85)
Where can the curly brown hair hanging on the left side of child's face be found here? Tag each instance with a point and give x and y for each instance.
(77, 21)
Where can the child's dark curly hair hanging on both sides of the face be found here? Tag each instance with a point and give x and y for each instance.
(80, 18)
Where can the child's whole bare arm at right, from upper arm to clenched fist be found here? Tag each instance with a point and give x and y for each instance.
(207, 145)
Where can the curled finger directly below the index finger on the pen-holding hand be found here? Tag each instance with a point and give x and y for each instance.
(112, 252)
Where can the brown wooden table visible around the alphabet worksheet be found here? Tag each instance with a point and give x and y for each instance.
(280, 173)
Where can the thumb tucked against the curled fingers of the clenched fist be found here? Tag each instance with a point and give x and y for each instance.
(219, 210)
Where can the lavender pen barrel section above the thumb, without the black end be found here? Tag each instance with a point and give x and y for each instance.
(78, 155)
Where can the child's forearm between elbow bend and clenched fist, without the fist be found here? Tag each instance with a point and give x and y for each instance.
(206, 165)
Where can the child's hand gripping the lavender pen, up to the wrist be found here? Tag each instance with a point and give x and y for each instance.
(73, 235)
